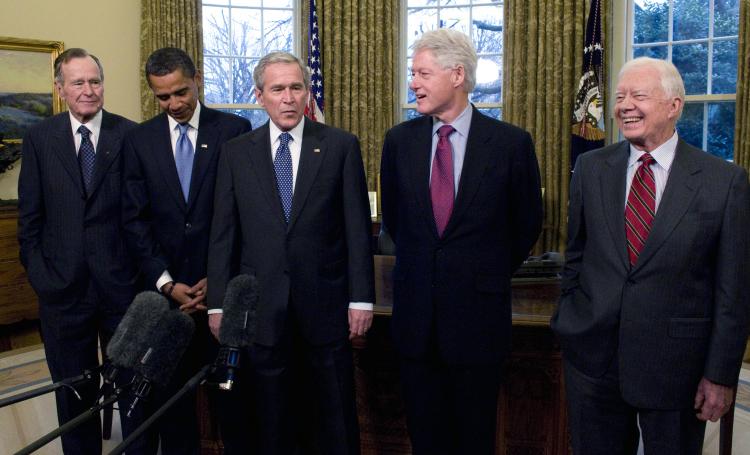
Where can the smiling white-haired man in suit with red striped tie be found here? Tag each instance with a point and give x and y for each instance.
(654, 308)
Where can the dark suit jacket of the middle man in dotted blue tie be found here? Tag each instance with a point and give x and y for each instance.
(321, 260)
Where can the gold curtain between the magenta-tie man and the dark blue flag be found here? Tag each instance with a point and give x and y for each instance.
(542, 64)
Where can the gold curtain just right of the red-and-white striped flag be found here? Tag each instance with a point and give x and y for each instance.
(360, 67)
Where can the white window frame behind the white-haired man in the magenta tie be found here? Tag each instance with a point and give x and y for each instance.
(404, 52)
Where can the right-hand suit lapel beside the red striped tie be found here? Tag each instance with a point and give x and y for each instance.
(682, 186)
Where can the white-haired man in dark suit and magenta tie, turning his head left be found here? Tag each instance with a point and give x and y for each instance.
(462, 201)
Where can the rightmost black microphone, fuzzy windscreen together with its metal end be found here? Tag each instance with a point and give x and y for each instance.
(238, 326)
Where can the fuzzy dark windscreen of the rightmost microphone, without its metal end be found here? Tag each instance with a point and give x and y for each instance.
(239, 312)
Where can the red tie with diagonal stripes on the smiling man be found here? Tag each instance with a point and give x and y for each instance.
(641, 207)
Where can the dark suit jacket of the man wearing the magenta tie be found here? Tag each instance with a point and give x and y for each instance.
(456, 289)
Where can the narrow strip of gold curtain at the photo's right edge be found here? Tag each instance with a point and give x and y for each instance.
(742, 109)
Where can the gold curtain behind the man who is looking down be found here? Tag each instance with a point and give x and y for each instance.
(168, 23)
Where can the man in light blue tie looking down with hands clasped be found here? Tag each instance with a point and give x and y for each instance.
(169, 175)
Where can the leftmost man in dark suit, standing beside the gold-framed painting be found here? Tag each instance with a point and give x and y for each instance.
(70, 236)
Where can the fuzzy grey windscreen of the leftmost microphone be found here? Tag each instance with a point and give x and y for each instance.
(136, 328)
